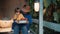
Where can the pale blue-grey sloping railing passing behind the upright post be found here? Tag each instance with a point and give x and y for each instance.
(50, 25)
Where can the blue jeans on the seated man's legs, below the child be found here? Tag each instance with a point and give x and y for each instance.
(18, 28)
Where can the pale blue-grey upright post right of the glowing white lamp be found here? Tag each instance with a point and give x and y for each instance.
(41, 18)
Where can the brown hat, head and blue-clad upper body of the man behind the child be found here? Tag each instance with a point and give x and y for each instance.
(25, 11)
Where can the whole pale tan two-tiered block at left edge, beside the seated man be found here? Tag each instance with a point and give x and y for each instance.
(6, 25)
